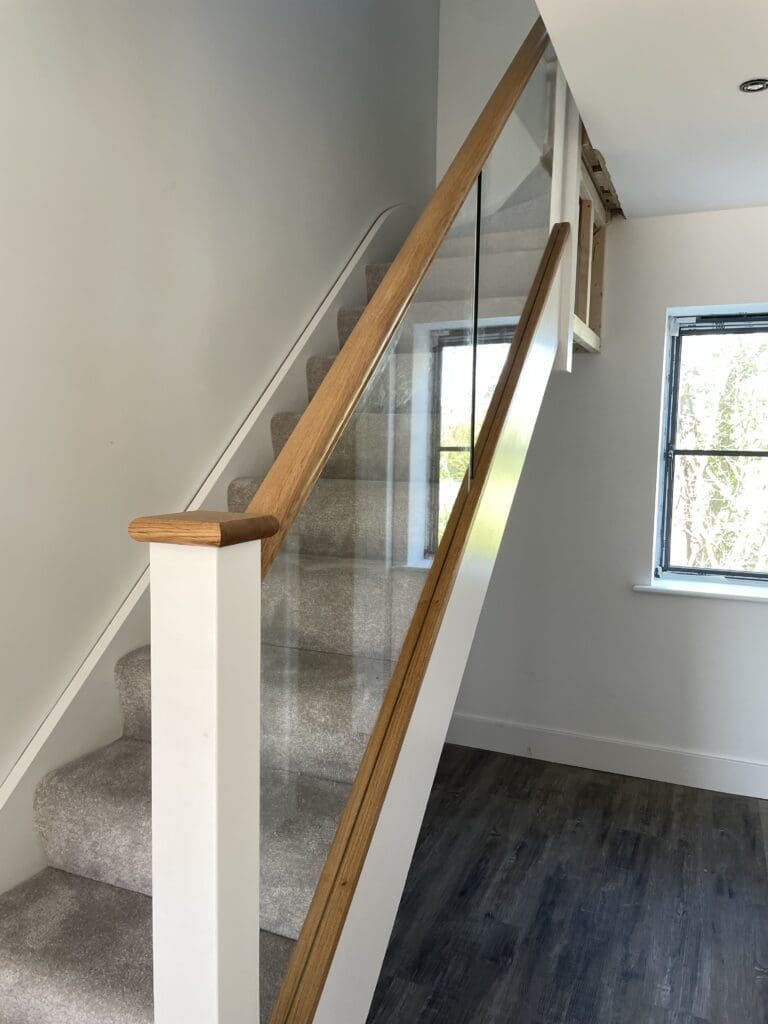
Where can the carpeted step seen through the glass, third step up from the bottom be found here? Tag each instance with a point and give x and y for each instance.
(318, 710)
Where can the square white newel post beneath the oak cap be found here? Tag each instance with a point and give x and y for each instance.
(205, 733)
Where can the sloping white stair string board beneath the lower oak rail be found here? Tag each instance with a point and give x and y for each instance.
(364, 942)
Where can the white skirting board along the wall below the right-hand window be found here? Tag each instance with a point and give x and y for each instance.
(621, 757)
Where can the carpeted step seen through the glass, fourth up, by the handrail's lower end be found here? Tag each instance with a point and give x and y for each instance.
(342, 606)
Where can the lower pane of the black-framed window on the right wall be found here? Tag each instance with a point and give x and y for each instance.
(720, 514)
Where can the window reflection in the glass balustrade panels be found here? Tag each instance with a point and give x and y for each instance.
(452, 411)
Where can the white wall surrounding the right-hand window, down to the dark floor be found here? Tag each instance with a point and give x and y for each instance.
(569, 663)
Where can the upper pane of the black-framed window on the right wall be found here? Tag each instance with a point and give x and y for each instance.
(723, 398)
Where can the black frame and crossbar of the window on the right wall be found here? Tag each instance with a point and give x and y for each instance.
(680, 329)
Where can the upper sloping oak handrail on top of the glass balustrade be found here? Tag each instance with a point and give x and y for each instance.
(295, 472)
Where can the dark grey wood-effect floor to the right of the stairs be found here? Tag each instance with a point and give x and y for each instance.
(542, 894)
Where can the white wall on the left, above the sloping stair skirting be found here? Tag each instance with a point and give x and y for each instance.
(180, 184)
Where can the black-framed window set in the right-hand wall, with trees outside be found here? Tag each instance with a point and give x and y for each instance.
(714, 495)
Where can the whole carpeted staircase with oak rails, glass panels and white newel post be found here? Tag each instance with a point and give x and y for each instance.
(353, 599)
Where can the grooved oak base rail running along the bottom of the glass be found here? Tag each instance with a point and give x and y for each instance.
(315, 951)
